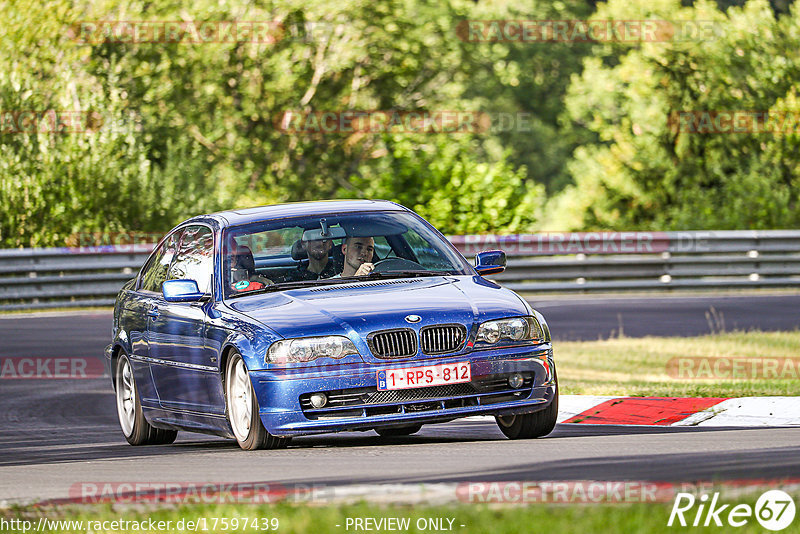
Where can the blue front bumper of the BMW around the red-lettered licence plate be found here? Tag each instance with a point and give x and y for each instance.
(285, 411)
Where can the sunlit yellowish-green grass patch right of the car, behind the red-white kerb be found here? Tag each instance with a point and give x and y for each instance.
(637, 366)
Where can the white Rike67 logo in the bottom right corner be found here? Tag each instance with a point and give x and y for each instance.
(774, 510)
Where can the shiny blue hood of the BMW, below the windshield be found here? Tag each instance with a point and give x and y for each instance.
(360, 308)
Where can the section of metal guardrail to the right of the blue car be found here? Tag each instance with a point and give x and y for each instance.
(648, 261)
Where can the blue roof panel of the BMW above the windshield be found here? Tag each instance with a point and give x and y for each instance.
(298, 209)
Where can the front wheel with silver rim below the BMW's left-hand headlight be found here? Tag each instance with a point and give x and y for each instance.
(242, 409)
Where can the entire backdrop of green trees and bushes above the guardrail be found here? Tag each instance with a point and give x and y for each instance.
(185, 128)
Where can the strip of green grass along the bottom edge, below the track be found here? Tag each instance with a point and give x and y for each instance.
(564, 518)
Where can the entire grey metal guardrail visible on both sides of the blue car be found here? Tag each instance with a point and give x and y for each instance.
(551, 262)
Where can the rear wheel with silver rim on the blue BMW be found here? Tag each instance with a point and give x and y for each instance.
(135, 428)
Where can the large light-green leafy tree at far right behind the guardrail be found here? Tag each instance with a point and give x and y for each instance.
(646, 172)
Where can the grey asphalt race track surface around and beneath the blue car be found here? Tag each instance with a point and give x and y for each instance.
(56, 434)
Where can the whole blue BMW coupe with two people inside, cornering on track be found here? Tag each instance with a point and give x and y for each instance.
(266, 323)
